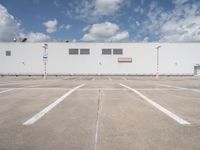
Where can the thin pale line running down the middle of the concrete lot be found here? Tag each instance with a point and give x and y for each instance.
(99, 110)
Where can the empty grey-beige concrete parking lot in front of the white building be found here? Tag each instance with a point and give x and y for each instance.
(101, 115)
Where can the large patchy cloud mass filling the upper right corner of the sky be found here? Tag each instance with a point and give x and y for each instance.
(181, 24)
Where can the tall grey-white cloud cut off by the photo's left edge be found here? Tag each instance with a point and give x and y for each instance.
(9, 26)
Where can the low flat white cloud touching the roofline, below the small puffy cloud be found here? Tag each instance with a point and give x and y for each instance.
(35, 37)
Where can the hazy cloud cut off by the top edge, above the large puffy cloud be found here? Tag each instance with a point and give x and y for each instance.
(93, 10)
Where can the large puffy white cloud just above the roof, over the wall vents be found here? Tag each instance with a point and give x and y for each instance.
(105, 32)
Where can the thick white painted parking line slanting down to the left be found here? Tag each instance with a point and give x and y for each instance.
(40, 114)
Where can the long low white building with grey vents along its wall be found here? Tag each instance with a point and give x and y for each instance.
(100, 58)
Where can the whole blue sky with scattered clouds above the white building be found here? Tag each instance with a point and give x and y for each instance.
(100, 20)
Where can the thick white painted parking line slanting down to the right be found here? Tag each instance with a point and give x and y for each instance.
(159, 107)
